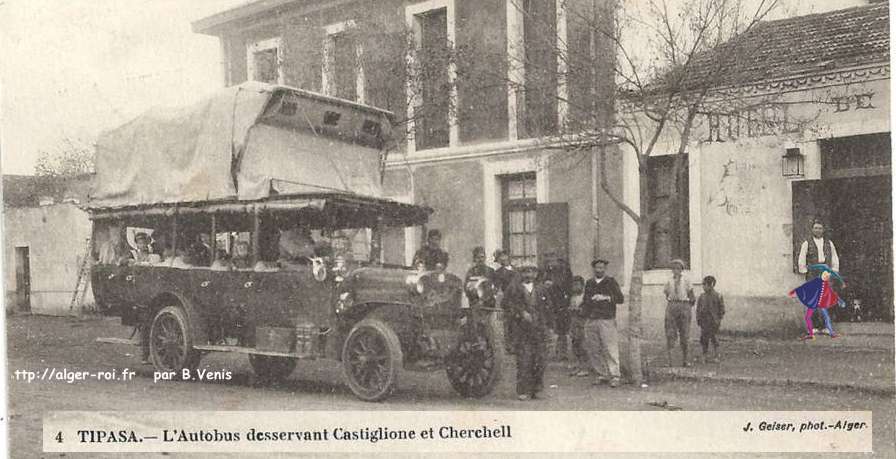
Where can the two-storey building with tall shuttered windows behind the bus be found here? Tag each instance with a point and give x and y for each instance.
(481, 89)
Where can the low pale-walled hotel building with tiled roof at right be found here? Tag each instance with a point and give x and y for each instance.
(819, 148)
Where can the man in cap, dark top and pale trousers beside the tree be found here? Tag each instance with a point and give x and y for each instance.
(601, 296)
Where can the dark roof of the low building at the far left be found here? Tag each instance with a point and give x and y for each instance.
(29, 190)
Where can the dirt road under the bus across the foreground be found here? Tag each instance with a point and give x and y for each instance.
(35, 343)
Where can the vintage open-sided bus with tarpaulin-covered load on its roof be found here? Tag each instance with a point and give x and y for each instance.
(251, 223)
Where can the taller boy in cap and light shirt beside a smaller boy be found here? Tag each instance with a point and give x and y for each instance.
(679, 300)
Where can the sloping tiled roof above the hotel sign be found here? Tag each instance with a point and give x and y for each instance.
(798, 46)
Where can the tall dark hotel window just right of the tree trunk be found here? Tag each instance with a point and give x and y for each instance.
(669, 236)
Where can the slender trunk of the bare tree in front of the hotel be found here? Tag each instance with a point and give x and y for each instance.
(636, 284)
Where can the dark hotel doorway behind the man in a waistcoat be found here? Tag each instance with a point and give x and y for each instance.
(854, 200)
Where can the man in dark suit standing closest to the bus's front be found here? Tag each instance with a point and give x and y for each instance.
(530, 309)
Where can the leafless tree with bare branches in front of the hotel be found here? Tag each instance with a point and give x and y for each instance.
(674, 63)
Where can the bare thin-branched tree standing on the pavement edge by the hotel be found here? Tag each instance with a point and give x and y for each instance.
(672, 67)
